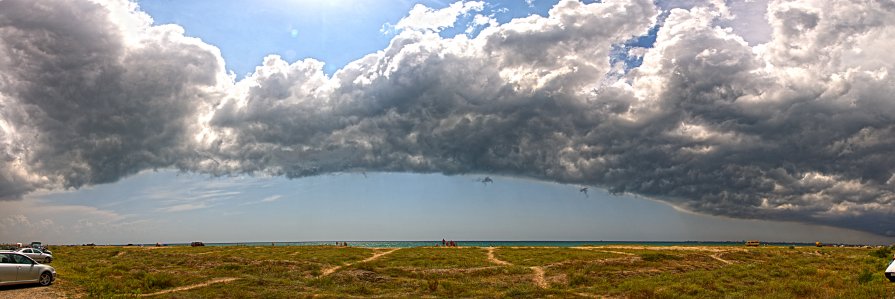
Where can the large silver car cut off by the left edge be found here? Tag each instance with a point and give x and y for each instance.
(16, 268)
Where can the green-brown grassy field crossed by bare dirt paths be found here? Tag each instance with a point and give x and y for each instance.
(610, 271)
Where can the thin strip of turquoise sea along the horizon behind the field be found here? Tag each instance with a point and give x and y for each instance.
(407, 244)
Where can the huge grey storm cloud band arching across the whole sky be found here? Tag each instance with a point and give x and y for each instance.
(798, 127)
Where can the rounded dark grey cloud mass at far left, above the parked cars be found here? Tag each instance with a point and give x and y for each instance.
(85, 104)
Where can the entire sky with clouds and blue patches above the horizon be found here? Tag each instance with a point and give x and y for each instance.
(293, 120)
